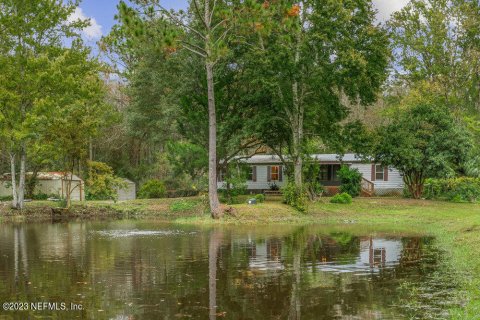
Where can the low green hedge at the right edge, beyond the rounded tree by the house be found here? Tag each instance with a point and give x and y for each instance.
(455, 189)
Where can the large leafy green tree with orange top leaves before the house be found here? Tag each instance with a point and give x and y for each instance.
(312, 56)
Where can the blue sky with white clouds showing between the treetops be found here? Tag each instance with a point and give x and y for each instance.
(101, 13)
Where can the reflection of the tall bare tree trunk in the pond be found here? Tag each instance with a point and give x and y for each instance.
(215, 241)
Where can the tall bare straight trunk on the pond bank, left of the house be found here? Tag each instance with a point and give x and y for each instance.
(212, 121)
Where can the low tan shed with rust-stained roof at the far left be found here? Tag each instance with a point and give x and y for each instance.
(49, 183)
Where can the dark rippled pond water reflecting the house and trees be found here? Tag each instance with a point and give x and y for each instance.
(148, 270)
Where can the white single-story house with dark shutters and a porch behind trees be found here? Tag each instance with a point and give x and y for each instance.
(267, 172)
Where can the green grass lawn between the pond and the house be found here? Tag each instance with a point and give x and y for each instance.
(456, 226)
